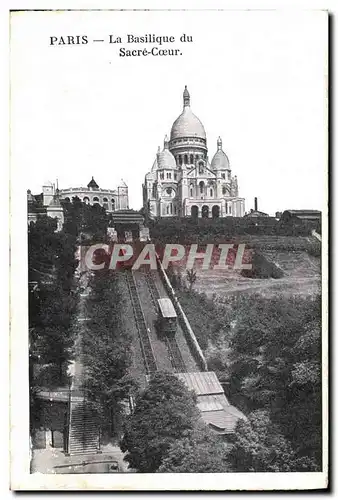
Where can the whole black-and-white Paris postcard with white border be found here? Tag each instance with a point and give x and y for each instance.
(169, 249)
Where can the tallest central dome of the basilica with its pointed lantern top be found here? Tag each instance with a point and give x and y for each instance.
(187, 124)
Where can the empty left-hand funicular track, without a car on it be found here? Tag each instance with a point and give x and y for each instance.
(147, 351)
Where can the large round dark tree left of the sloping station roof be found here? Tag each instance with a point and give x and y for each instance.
(164, 413)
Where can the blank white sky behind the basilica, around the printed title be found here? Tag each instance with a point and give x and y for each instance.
(256, 78)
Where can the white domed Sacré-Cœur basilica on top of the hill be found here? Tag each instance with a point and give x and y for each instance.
(182, 181)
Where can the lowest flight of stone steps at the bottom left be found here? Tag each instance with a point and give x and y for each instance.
(84, 431)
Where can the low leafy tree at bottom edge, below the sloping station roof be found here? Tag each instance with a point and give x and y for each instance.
(202, 451)
